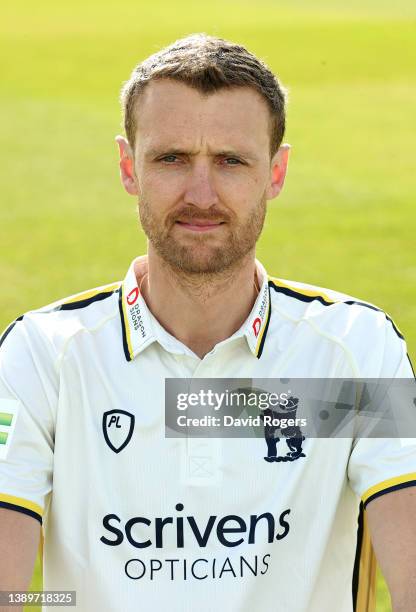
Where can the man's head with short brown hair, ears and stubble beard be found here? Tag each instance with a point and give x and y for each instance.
(204, 121)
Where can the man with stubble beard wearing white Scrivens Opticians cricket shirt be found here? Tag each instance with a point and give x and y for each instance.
(137, 521)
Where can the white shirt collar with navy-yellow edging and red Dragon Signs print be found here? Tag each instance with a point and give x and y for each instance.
(140, 328)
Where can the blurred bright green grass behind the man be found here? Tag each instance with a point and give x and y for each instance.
(346, 218)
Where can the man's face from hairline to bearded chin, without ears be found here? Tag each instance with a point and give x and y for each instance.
(202, 172)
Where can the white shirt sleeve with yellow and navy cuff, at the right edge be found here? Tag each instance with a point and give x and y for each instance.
(380, 465)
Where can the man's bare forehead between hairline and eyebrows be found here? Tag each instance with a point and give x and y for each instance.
(172, 114)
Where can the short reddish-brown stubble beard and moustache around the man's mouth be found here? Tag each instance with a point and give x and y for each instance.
(197, 256)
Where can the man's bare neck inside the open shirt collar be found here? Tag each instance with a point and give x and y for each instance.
(201, 310)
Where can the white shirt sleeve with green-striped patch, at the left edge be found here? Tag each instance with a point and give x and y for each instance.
(27, 397)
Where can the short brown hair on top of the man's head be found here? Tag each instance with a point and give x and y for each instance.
(207, 64)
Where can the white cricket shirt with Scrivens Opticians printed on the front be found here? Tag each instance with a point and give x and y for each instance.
(140, 522)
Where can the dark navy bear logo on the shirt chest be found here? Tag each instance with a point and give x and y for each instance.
(293, 434)
